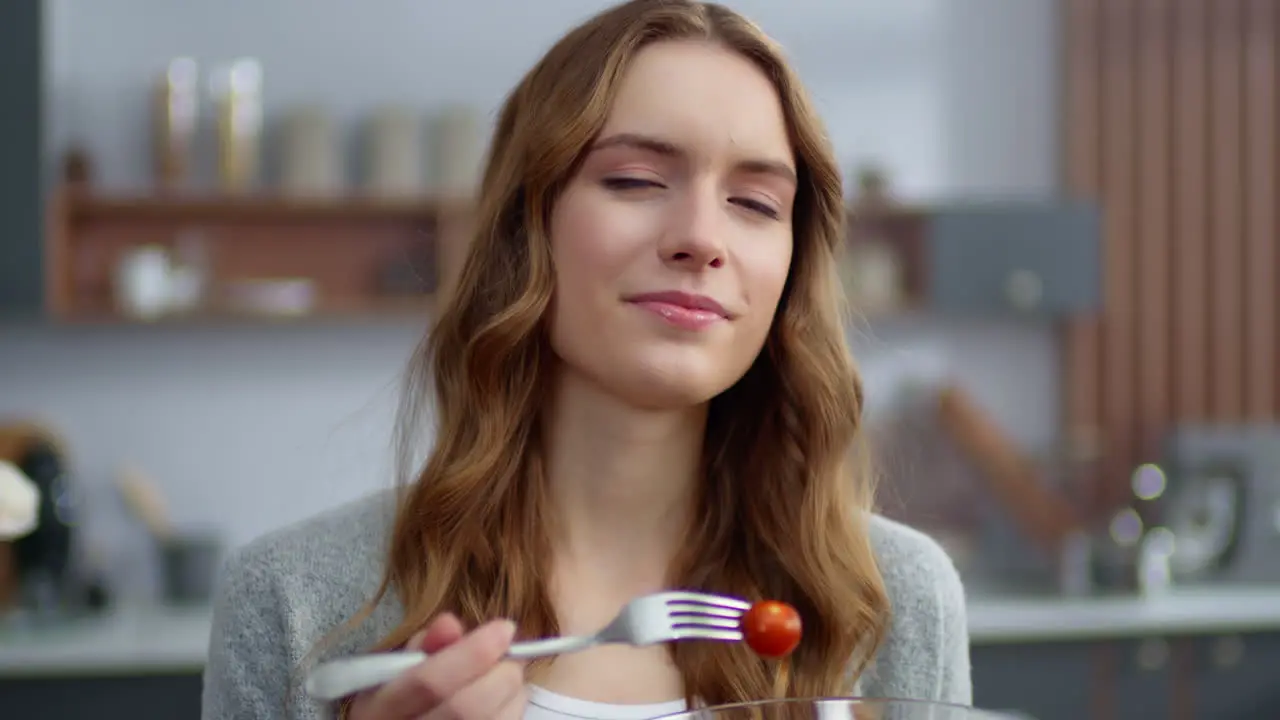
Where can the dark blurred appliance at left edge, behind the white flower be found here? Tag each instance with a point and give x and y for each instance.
(43, 560)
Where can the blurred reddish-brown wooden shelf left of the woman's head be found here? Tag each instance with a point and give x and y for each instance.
(358, 257)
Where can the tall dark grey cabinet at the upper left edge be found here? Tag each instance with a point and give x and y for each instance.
(21, 149)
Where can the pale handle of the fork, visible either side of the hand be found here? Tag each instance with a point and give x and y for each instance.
(340, 678)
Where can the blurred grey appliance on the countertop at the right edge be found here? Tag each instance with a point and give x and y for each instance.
(1222, 503)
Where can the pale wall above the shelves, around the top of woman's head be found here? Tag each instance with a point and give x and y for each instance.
(950, 95)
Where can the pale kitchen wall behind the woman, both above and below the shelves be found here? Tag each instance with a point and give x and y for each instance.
(246, 427)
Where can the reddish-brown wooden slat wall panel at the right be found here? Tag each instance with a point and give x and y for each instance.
(1172, 117)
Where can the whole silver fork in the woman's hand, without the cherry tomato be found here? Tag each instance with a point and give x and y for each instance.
(646, 621)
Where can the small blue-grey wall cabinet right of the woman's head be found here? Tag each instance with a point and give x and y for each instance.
(1041, 259)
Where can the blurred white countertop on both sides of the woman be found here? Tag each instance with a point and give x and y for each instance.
(140, 641)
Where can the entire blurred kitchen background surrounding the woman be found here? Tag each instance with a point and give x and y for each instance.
(986, 119)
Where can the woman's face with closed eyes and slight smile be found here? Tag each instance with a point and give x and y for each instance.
(674, 241)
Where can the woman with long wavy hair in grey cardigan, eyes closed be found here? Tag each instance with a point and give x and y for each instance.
(641, 382)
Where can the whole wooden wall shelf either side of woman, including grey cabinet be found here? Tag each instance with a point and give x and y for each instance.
(369, 258)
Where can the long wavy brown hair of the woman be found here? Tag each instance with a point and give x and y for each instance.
(783, 513)
